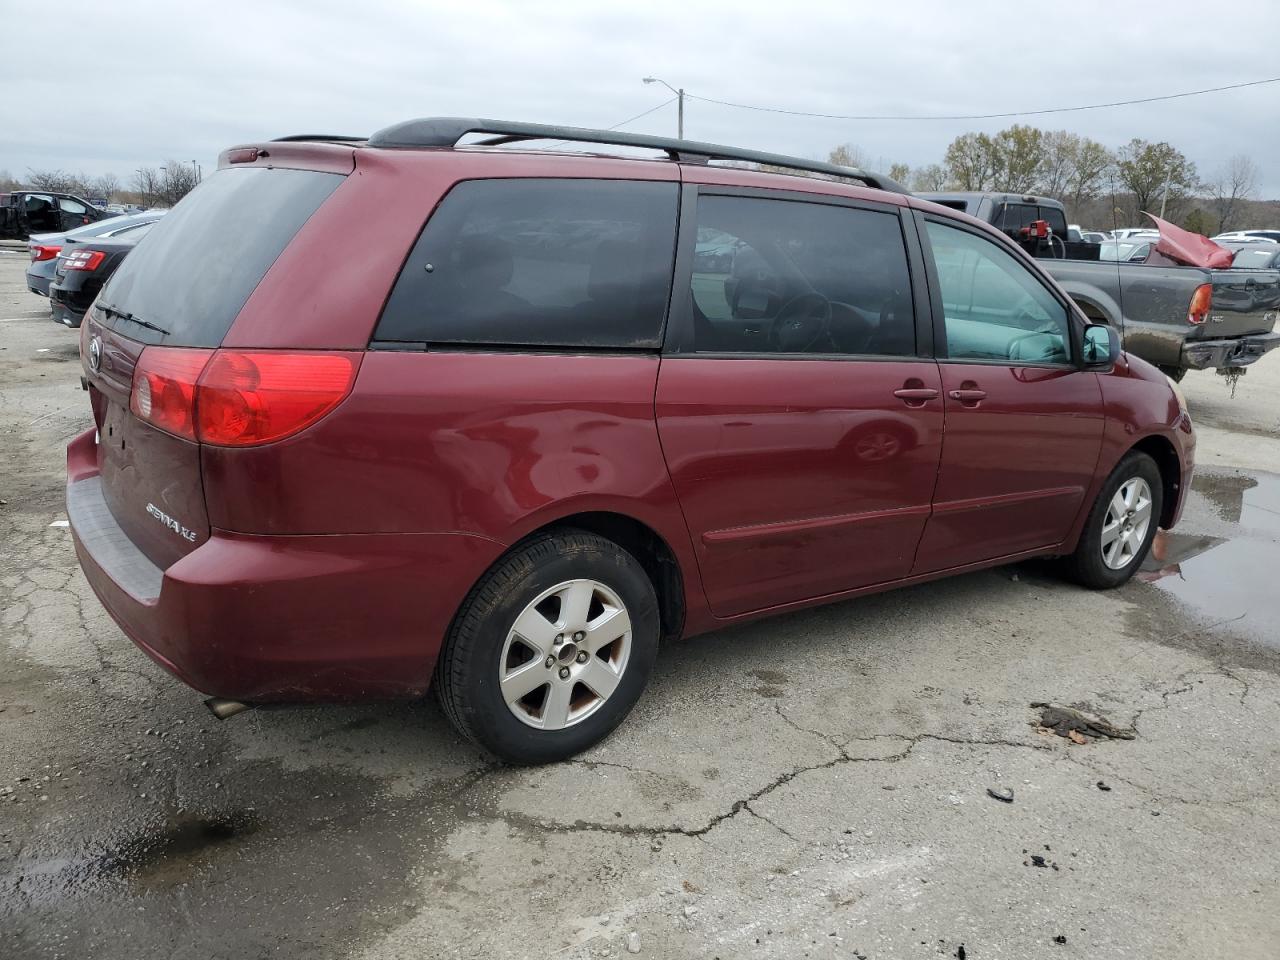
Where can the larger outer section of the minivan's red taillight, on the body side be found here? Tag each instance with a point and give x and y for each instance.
(250, 399)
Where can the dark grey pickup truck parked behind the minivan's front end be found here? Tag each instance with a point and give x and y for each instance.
(1178, 318)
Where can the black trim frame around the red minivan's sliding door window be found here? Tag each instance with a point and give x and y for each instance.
(678, 344)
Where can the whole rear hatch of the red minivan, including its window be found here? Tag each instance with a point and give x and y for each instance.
(156, 327)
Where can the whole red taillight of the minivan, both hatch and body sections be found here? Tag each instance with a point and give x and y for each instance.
(236, 399)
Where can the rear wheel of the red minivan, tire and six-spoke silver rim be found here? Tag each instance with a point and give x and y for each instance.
(551, 650)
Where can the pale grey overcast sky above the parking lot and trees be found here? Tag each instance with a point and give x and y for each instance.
(154, 81)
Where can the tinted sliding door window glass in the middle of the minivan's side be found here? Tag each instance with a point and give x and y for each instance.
(790, 277)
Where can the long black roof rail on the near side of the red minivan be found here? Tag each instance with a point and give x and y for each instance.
(447, 131)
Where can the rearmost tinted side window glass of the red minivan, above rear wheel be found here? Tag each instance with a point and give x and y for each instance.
(540, 263)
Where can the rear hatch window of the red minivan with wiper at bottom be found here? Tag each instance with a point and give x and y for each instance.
(205, 257)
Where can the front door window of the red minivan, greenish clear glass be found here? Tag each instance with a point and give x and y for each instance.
(995, 308)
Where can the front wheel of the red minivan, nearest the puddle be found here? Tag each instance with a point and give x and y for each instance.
(1121, 527)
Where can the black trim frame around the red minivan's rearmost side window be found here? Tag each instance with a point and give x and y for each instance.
(387, 346)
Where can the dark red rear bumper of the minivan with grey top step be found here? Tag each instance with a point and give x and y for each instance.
(268, 619)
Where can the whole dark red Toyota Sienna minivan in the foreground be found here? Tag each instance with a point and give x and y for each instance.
(376, 415)
